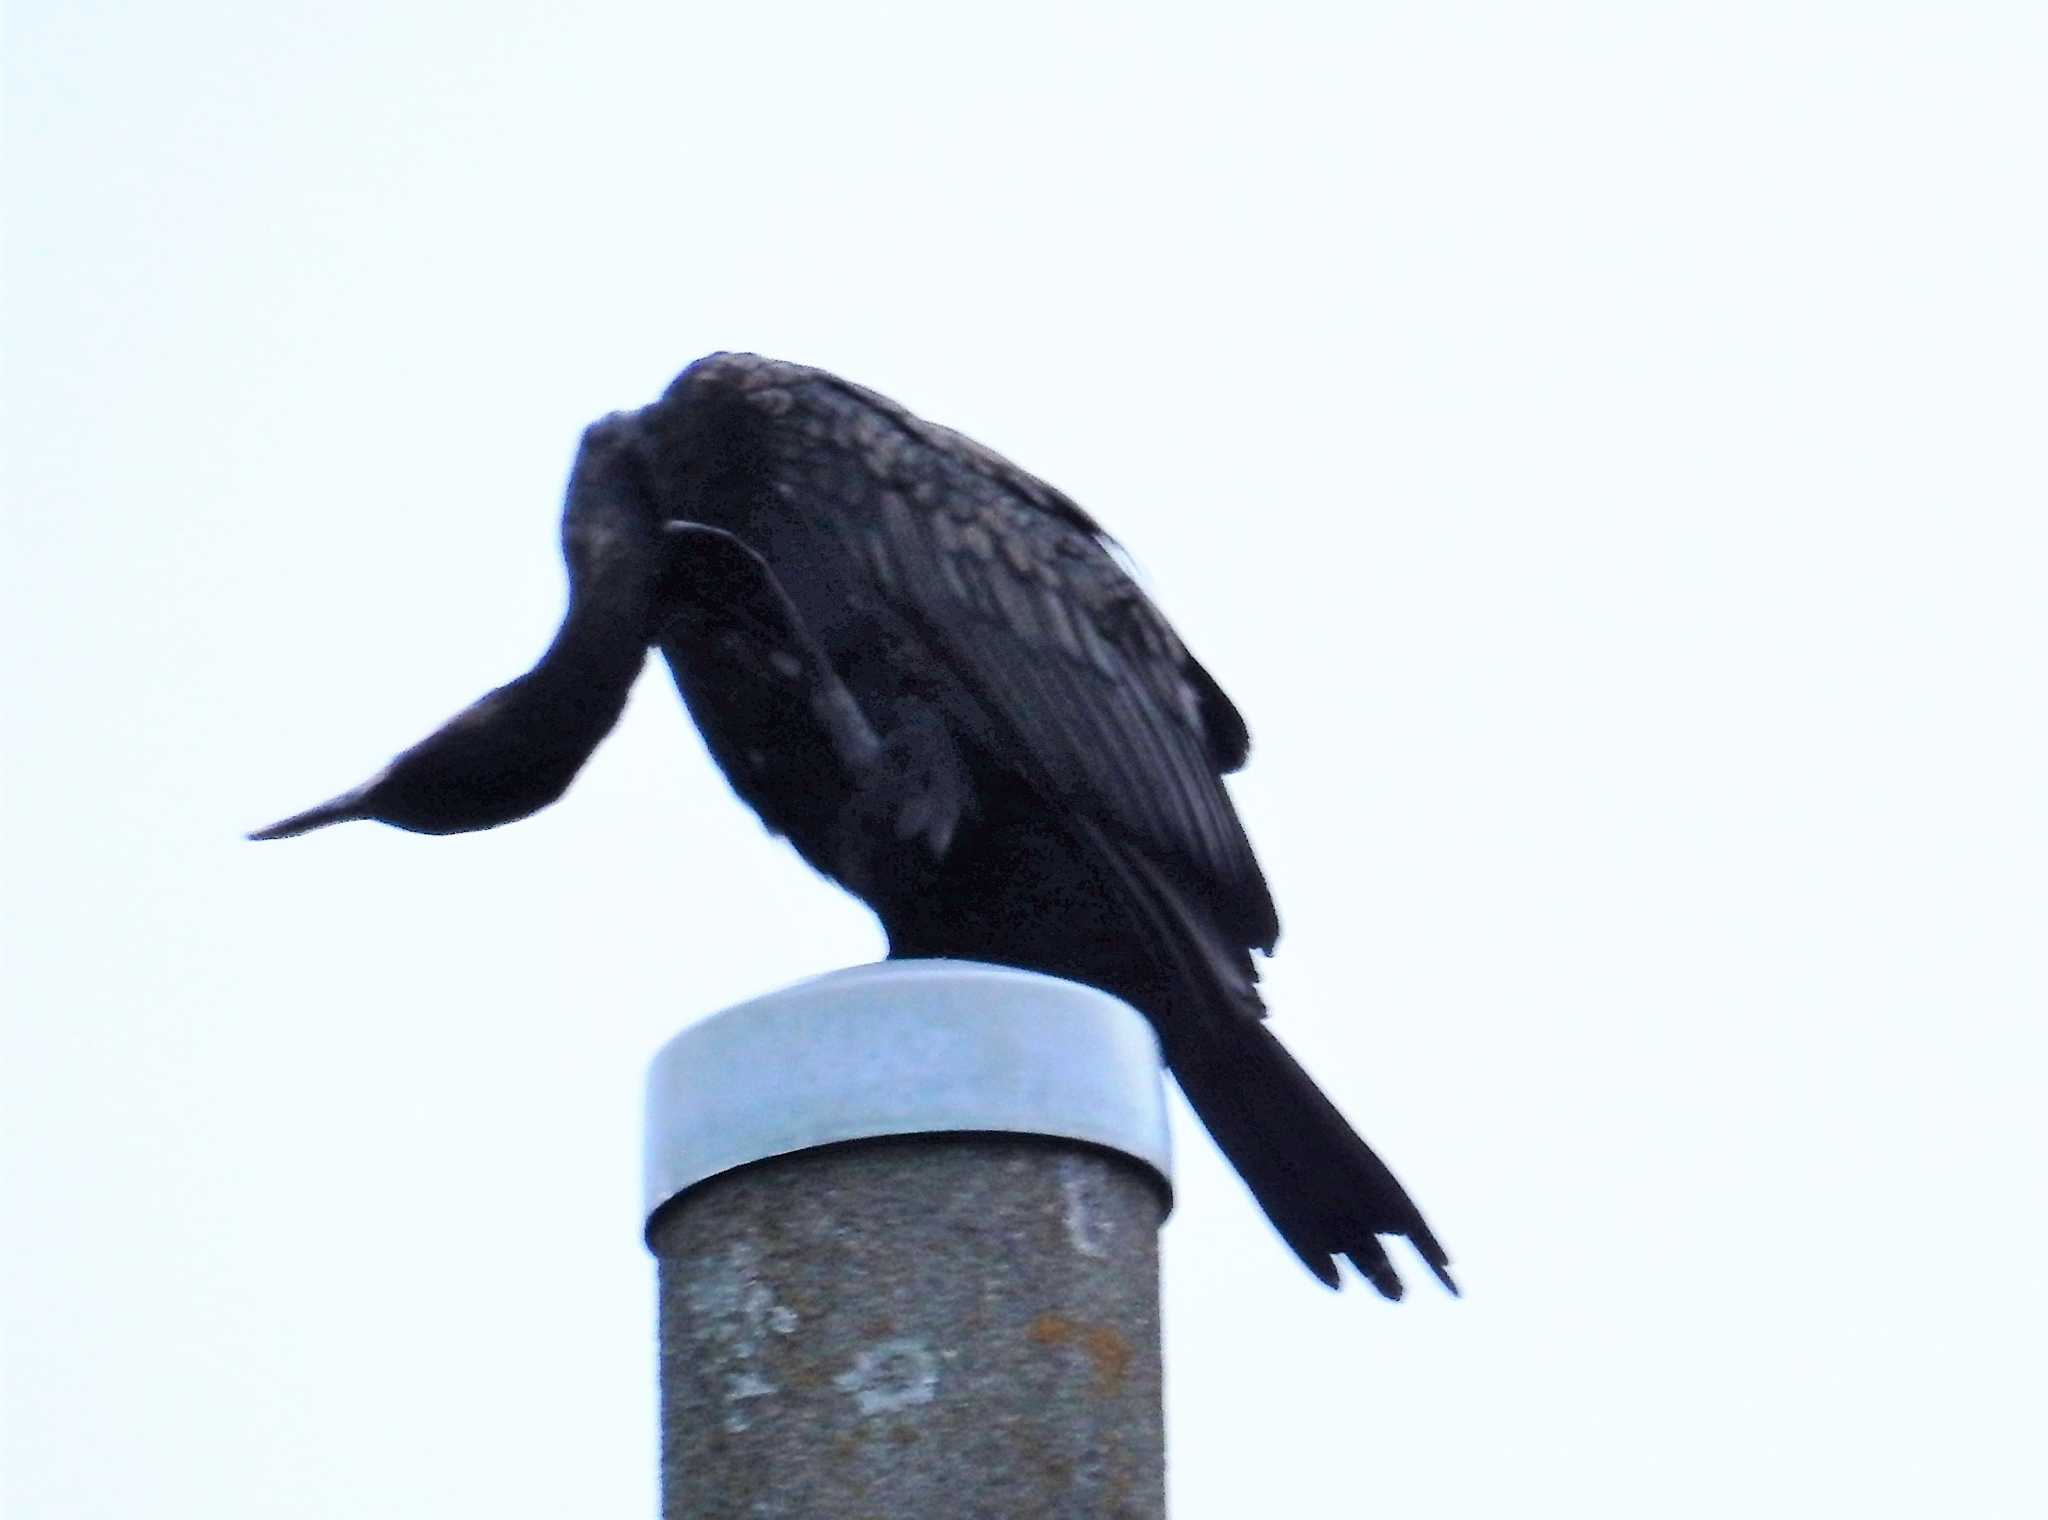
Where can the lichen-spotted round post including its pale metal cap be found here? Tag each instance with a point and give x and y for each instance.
(906, 1222)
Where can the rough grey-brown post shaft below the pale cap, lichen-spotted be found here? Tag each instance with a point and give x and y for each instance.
(857, 1331)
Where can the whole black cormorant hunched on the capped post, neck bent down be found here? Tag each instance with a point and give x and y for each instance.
(937, 679)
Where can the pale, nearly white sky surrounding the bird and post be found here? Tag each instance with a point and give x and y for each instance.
(1601, 448)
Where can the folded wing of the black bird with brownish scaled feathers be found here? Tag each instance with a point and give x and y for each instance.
(1015, 591)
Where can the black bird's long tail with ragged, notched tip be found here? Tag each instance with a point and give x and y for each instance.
(1324, 1189)
